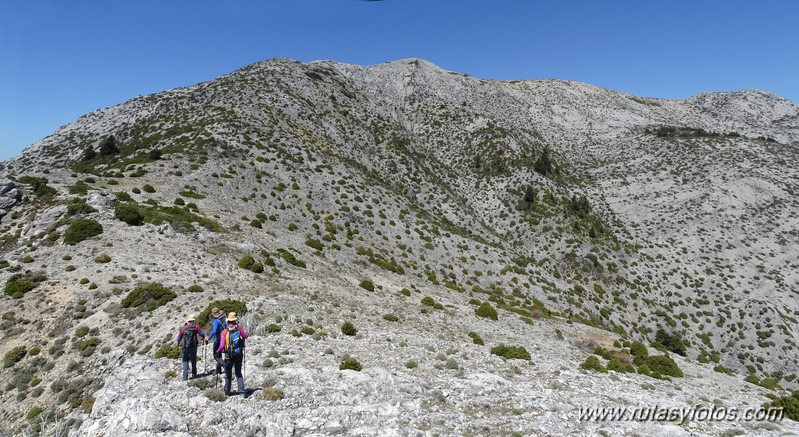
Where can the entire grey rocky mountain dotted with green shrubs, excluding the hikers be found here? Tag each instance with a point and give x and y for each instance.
(430, 209)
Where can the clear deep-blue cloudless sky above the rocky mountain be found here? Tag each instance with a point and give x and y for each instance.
(61, 59)
